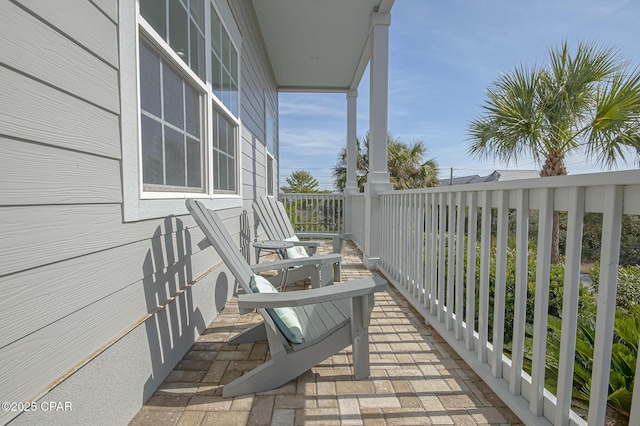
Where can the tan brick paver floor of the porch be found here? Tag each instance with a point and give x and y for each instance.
(416, 378)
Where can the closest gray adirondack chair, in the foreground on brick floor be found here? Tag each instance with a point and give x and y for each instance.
(331, 317)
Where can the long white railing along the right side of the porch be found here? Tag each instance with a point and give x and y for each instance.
(431, 240)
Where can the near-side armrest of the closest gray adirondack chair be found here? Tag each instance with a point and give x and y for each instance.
(348, 290)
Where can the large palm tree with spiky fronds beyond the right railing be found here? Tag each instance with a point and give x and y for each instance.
(589, 101)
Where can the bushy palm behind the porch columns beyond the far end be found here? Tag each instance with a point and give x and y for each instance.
(404, 162)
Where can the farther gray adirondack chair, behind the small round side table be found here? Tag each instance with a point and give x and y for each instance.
(276, 224)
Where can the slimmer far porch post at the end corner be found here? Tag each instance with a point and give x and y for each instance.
(351, 185)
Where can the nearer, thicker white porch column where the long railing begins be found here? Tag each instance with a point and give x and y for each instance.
(378, 177)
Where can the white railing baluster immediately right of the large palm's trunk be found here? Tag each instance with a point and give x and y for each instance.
(570, 305)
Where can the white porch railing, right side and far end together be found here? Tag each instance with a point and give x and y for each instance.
(475, 263)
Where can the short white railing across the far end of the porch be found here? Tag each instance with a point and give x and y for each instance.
(315, 212)
